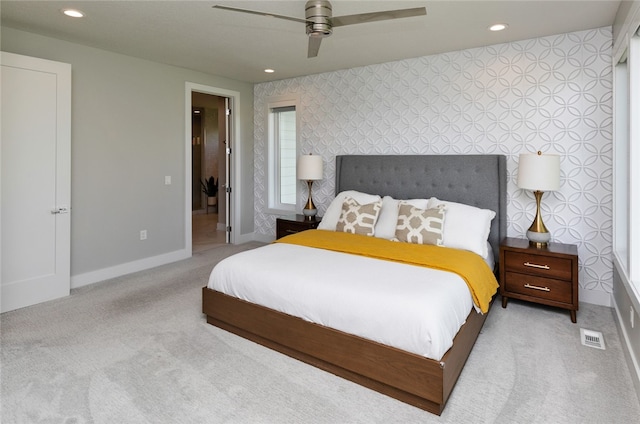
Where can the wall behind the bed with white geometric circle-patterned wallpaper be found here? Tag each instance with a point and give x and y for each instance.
(552, 94)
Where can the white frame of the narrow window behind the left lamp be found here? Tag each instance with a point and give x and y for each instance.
(274, 203)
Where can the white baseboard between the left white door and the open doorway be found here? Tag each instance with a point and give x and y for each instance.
(92, 277)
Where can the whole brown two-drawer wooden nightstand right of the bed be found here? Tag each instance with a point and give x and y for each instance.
(548, 275)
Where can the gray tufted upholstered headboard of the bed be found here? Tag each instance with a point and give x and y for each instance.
(477, 180)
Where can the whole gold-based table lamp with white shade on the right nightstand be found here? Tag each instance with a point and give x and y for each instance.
(539, 173)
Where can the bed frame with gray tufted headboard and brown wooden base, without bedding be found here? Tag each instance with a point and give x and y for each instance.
(477, 180)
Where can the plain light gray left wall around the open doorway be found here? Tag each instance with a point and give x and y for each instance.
(128, 133)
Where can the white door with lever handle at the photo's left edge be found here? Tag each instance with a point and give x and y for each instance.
(35, 181)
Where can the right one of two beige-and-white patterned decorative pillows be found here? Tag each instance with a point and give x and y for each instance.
(420, 226)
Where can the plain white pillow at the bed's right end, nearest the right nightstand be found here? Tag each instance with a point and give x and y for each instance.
(466, 227)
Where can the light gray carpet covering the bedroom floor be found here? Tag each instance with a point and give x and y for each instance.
(137, 349)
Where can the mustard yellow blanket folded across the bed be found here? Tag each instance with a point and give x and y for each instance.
(471, 267)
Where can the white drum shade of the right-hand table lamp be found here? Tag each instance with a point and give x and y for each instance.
(539, 172)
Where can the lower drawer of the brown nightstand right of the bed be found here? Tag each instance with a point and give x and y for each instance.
(542, 288)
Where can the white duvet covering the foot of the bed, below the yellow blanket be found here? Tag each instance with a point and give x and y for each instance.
(413, 308)
